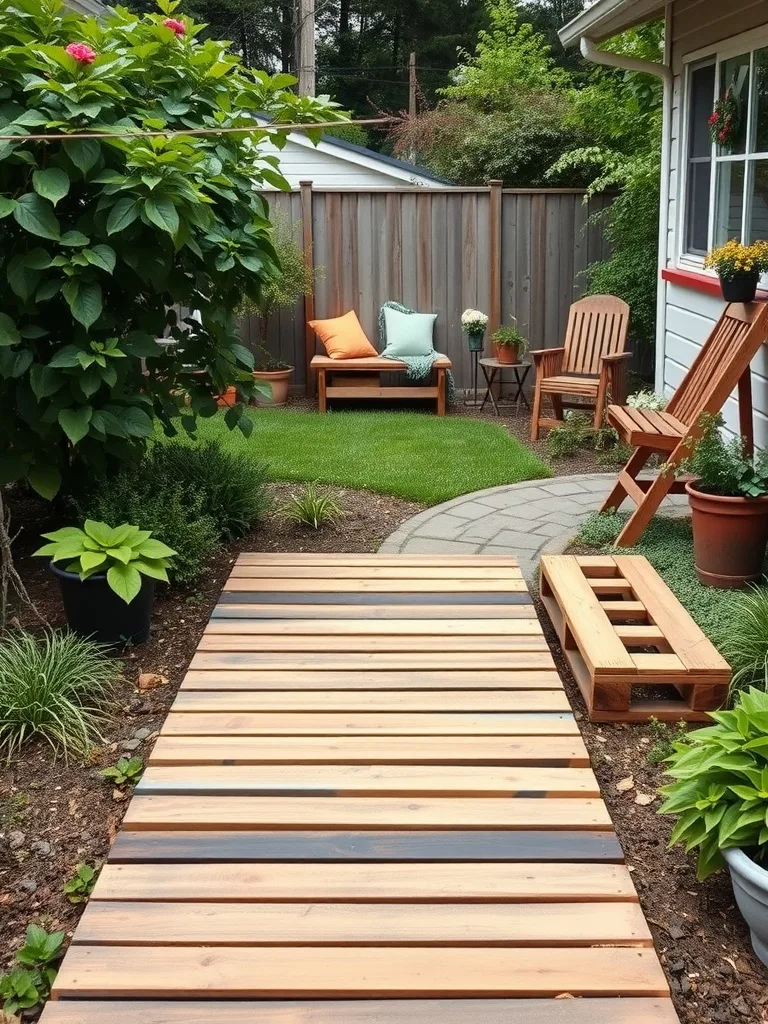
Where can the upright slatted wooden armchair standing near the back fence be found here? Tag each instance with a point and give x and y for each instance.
(591, 362)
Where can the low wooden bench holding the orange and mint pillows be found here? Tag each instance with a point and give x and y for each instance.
(362, 379)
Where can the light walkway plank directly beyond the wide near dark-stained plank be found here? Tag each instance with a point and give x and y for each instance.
(331, 813)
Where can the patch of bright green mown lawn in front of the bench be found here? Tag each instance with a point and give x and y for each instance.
(420, 457)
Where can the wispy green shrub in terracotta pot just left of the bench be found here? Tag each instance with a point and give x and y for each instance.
(295, 281)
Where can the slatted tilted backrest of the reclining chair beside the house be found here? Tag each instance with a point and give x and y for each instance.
(721, 361)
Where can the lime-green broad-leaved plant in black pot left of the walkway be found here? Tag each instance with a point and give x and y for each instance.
(108, 583)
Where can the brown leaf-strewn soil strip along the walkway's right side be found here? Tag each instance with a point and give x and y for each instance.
(701, 938)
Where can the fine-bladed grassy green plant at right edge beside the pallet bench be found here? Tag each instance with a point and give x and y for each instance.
(745, 639)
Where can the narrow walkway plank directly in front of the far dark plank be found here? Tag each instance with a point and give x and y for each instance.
(432, 612)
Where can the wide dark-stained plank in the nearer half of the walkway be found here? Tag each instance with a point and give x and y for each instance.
(301, 847)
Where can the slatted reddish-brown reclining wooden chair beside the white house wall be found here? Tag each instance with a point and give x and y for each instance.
(722, 364)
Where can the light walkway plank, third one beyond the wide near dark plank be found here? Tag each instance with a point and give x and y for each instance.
(564, 748)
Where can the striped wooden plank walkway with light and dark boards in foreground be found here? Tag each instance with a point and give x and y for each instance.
(370, 804)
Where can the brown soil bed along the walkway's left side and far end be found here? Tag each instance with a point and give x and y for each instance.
(57, 820)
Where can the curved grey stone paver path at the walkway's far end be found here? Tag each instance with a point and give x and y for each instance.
(521, 520)
